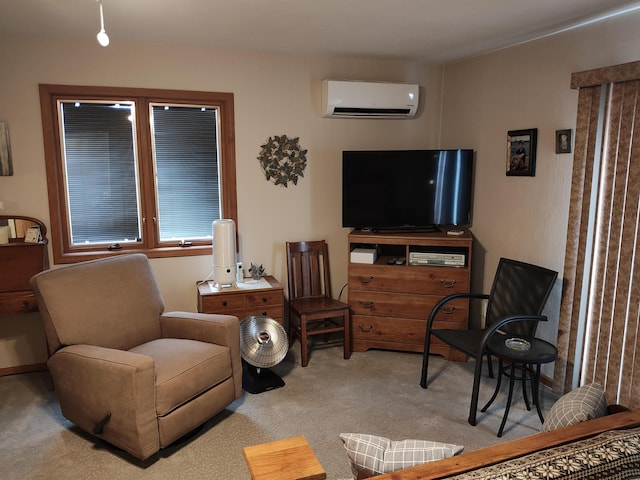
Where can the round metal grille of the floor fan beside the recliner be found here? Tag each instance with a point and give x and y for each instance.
(263, 341)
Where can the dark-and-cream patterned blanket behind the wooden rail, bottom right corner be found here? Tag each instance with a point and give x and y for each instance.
(611, 455)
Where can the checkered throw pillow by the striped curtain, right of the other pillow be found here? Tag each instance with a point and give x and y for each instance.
(583, 403)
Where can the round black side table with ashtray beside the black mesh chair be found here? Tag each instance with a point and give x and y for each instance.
(517, 359)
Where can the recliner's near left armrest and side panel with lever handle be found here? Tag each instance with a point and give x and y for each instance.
(94, 383)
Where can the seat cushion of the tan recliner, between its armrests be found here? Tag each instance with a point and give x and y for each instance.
(184, 369)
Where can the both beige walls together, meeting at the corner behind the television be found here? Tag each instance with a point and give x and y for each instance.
(521, 87)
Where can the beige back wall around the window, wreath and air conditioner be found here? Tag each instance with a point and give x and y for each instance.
(274, 95)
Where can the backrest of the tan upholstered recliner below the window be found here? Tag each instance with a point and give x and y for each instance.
(112, 302)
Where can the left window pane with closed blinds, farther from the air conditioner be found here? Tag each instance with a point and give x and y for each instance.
(100, 172)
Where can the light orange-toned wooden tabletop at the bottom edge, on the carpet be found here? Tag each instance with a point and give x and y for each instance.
(288, 459)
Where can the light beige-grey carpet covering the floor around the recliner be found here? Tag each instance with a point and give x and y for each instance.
(374, 392)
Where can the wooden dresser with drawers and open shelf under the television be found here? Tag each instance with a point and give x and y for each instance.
(390, 302)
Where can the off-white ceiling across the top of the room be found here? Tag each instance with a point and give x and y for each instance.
(431, 31)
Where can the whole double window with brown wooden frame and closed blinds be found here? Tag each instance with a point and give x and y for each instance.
(137, 169)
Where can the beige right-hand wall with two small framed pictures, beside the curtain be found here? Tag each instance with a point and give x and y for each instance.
(520, 88)
